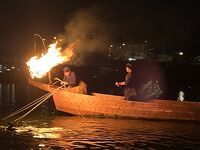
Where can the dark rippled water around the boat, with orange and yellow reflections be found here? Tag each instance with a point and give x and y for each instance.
(46, 128)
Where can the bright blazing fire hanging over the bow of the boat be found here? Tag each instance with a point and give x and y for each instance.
(39, 66)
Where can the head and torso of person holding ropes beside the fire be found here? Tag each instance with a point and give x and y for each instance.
(69, 79)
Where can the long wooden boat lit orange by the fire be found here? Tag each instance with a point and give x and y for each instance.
(103, 105)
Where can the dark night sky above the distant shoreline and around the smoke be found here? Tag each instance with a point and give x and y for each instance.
(166, 25)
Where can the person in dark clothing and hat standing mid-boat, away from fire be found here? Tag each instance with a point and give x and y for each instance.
(129, 90)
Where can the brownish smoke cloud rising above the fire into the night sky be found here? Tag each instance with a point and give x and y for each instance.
(89, 29)
